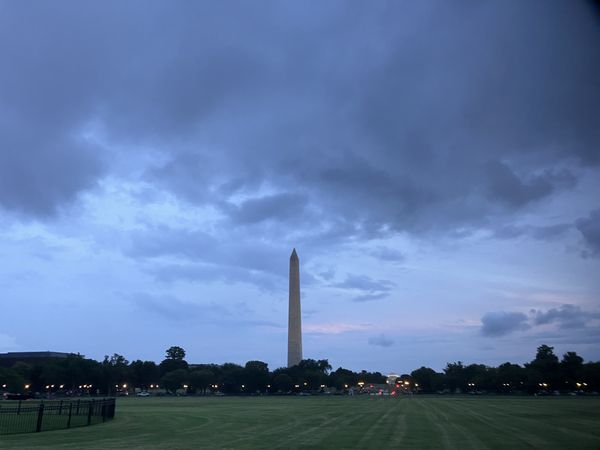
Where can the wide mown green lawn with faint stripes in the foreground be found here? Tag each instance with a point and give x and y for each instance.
(334, 422)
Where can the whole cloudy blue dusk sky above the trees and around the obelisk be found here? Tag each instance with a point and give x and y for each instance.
(435, 164)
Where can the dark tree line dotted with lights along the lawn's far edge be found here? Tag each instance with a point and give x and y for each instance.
(77, 375)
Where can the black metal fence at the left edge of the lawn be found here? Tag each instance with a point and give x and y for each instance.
(31, 417)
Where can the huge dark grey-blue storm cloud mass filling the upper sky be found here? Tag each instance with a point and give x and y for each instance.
(384, 117)
